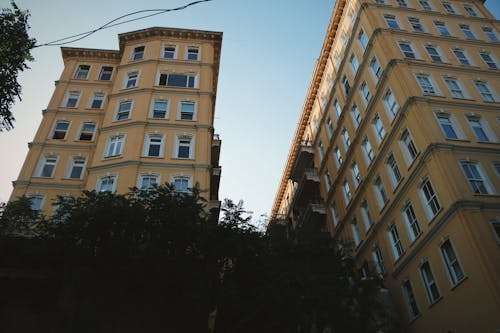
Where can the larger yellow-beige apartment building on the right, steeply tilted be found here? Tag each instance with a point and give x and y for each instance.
(397, 152)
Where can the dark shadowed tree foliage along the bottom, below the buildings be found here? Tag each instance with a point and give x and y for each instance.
(149, 261)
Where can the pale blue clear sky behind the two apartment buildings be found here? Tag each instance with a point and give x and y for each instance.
(269, 51)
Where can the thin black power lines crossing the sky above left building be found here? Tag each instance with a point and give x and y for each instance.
(112, 23)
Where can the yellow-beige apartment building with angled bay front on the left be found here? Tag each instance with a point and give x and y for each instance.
(137, 116)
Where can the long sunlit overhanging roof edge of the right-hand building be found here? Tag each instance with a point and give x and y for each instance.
(308, 103)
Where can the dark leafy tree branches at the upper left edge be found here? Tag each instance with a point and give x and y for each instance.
(15, 51)
